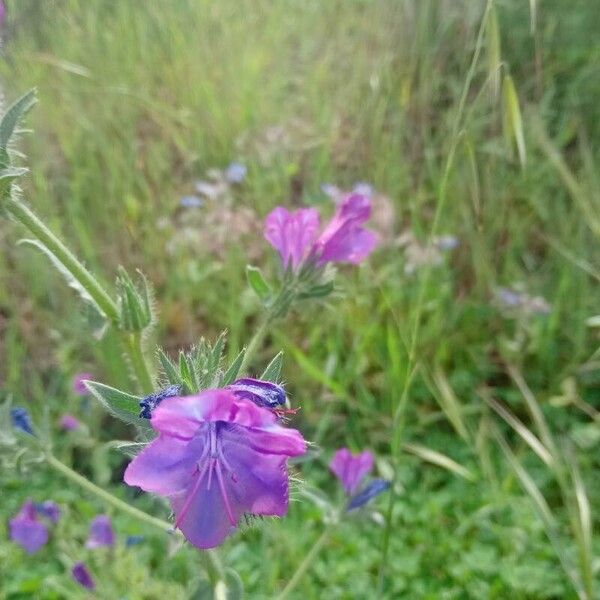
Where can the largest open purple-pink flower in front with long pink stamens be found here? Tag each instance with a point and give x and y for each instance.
(216, 457)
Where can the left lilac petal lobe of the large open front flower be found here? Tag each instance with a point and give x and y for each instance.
(166, 465)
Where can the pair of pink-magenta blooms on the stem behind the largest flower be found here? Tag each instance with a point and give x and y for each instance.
(295, 234)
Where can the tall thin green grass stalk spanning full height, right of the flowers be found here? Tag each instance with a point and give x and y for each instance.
(397, 427)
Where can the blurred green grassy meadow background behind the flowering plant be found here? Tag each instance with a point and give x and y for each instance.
(139, 100)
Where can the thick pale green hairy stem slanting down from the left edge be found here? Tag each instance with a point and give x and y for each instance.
(24, 215)
